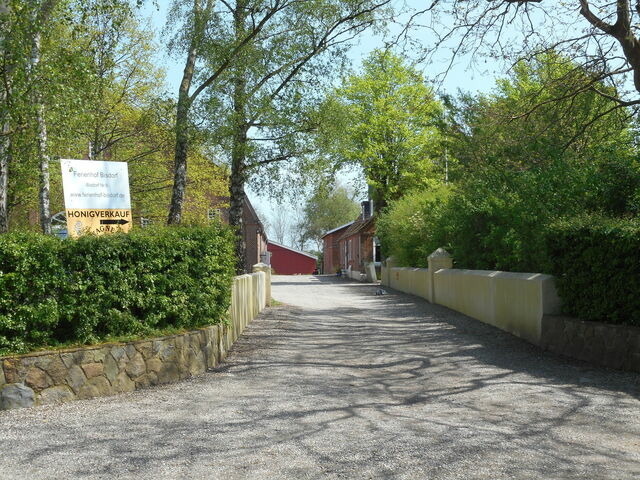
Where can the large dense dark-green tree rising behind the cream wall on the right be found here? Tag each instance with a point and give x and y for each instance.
(519, 174)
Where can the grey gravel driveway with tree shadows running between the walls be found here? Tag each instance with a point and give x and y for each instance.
(340, 383)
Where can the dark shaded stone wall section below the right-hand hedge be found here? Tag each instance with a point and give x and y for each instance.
(614, 346)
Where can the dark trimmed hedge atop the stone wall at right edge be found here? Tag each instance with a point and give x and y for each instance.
(596, 262)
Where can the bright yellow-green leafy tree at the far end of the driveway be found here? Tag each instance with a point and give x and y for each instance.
(387, 121)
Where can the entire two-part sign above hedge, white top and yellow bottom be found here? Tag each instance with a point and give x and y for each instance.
(96, 196)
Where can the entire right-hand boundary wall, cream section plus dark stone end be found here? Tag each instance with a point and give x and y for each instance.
(524, 304)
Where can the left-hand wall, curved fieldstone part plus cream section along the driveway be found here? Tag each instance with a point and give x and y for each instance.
(59, 376)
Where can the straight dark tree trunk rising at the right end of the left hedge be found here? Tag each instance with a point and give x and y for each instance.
(239, 147)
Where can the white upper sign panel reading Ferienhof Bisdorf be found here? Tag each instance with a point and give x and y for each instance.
(95, 185)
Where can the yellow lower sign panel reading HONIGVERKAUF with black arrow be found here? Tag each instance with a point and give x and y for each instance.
(98, 222)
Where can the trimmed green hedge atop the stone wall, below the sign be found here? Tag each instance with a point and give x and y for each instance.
(59, 292)
